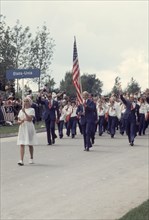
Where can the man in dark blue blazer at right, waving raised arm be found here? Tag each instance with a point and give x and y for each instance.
(131, 116)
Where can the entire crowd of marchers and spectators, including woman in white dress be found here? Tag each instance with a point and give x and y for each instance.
(129, 114)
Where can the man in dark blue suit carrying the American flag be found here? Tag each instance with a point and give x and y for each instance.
(86, 112)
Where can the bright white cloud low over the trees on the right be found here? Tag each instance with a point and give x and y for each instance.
(133, 64)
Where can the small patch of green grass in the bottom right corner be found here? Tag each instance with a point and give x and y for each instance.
(139, 213)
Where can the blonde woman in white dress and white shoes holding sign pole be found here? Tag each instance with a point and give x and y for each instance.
(27, 133)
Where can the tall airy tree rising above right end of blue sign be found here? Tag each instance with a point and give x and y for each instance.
(41, 53)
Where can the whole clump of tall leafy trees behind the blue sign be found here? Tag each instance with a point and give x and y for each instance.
(19, 50)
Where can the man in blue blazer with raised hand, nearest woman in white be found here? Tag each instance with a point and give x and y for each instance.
(50, 115)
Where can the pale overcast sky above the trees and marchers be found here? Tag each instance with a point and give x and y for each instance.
(111, 36)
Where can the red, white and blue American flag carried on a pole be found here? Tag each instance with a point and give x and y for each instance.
(76, 73)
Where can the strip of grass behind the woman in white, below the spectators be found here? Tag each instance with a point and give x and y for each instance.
(7, 129)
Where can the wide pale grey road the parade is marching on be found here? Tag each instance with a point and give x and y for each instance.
(68, 183)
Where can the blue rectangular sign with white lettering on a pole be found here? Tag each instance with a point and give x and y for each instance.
(22, 73)
